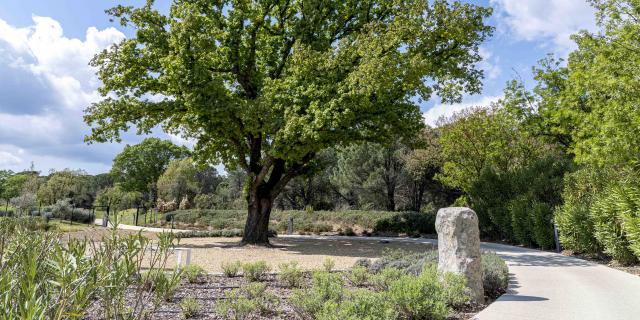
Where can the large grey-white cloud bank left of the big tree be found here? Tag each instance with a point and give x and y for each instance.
(46, 84)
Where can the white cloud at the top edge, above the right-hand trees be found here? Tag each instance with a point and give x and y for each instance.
(549, 21)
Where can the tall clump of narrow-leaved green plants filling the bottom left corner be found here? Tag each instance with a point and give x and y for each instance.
(44, 277)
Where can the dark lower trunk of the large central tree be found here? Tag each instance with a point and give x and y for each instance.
(256, 228)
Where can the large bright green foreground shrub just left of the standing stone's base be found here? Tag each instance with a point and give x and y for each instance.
(421, 297)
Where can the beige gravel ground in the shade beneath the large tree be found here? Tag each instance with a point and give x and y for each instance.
(209, 253)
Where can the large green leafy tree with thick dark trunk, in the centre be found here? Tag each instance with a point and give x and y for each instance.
(265, 85)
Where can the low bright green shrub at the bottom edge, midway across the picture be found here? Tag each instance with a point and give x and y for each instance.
(325, 287)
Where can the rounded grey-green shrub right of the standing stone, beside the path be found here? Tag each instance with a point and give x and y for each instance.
(495, 275)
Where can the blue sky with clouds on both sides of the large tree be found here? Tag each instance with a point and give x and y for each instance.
(45, 81)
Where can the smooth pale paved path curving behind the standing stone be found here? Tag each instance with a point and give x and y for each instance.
(544, 285)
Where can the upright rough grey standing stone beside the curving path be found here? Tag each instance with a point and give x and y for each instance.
(459, 246)
